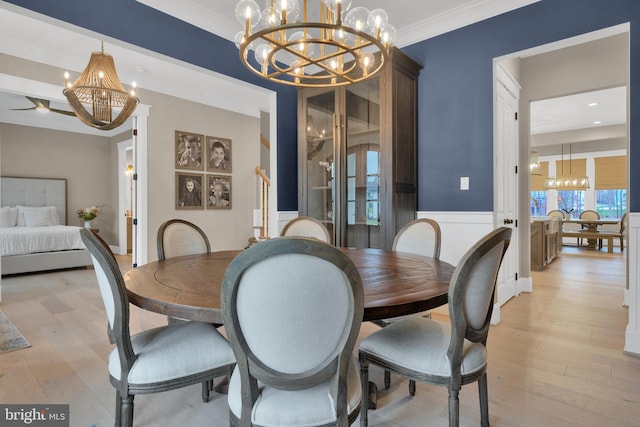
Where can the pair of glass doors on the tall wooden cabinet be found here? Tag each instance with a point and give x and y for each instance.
(342, 162)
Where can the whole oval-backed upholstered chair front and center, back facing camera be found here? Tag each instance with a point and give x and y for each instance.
(292, 310)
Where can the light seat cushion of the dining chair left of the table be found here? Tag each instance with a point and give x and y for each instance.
(174, 351)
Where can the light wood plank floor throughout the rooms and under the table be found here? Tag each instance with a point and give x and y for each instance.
(556, 359)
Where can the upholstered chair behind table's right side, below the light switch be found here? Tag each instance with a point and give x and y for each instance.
(421, 237)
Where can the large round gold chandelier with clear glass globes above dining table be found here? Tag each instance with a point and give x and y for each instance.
(343, 46)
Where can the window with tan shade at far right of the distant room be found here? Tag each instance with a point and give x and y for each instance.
(611, 186)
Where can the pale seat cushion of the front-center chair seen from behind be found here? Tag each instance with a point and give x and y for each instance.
(280, 408)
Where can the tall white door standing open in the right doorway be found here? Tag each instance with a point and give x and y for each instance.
(505, 178)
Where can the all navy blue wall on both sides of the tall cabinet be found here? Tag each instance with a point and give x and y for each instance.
(455, 127)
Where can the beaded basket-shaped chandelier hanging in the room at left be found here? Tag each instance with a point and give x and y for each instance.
(99, 87)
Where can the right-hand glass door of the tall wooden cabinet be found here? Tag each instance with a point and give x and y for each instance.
(361, 223)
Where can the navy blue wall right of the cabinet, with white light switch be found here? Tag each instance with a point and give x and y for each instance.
(455, 111)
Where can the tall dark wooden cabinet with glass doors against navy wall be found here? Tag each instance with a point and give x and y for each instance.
(357, 155)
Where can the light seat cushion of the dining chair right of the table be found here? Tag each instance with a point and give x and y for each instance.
(421, 345)
